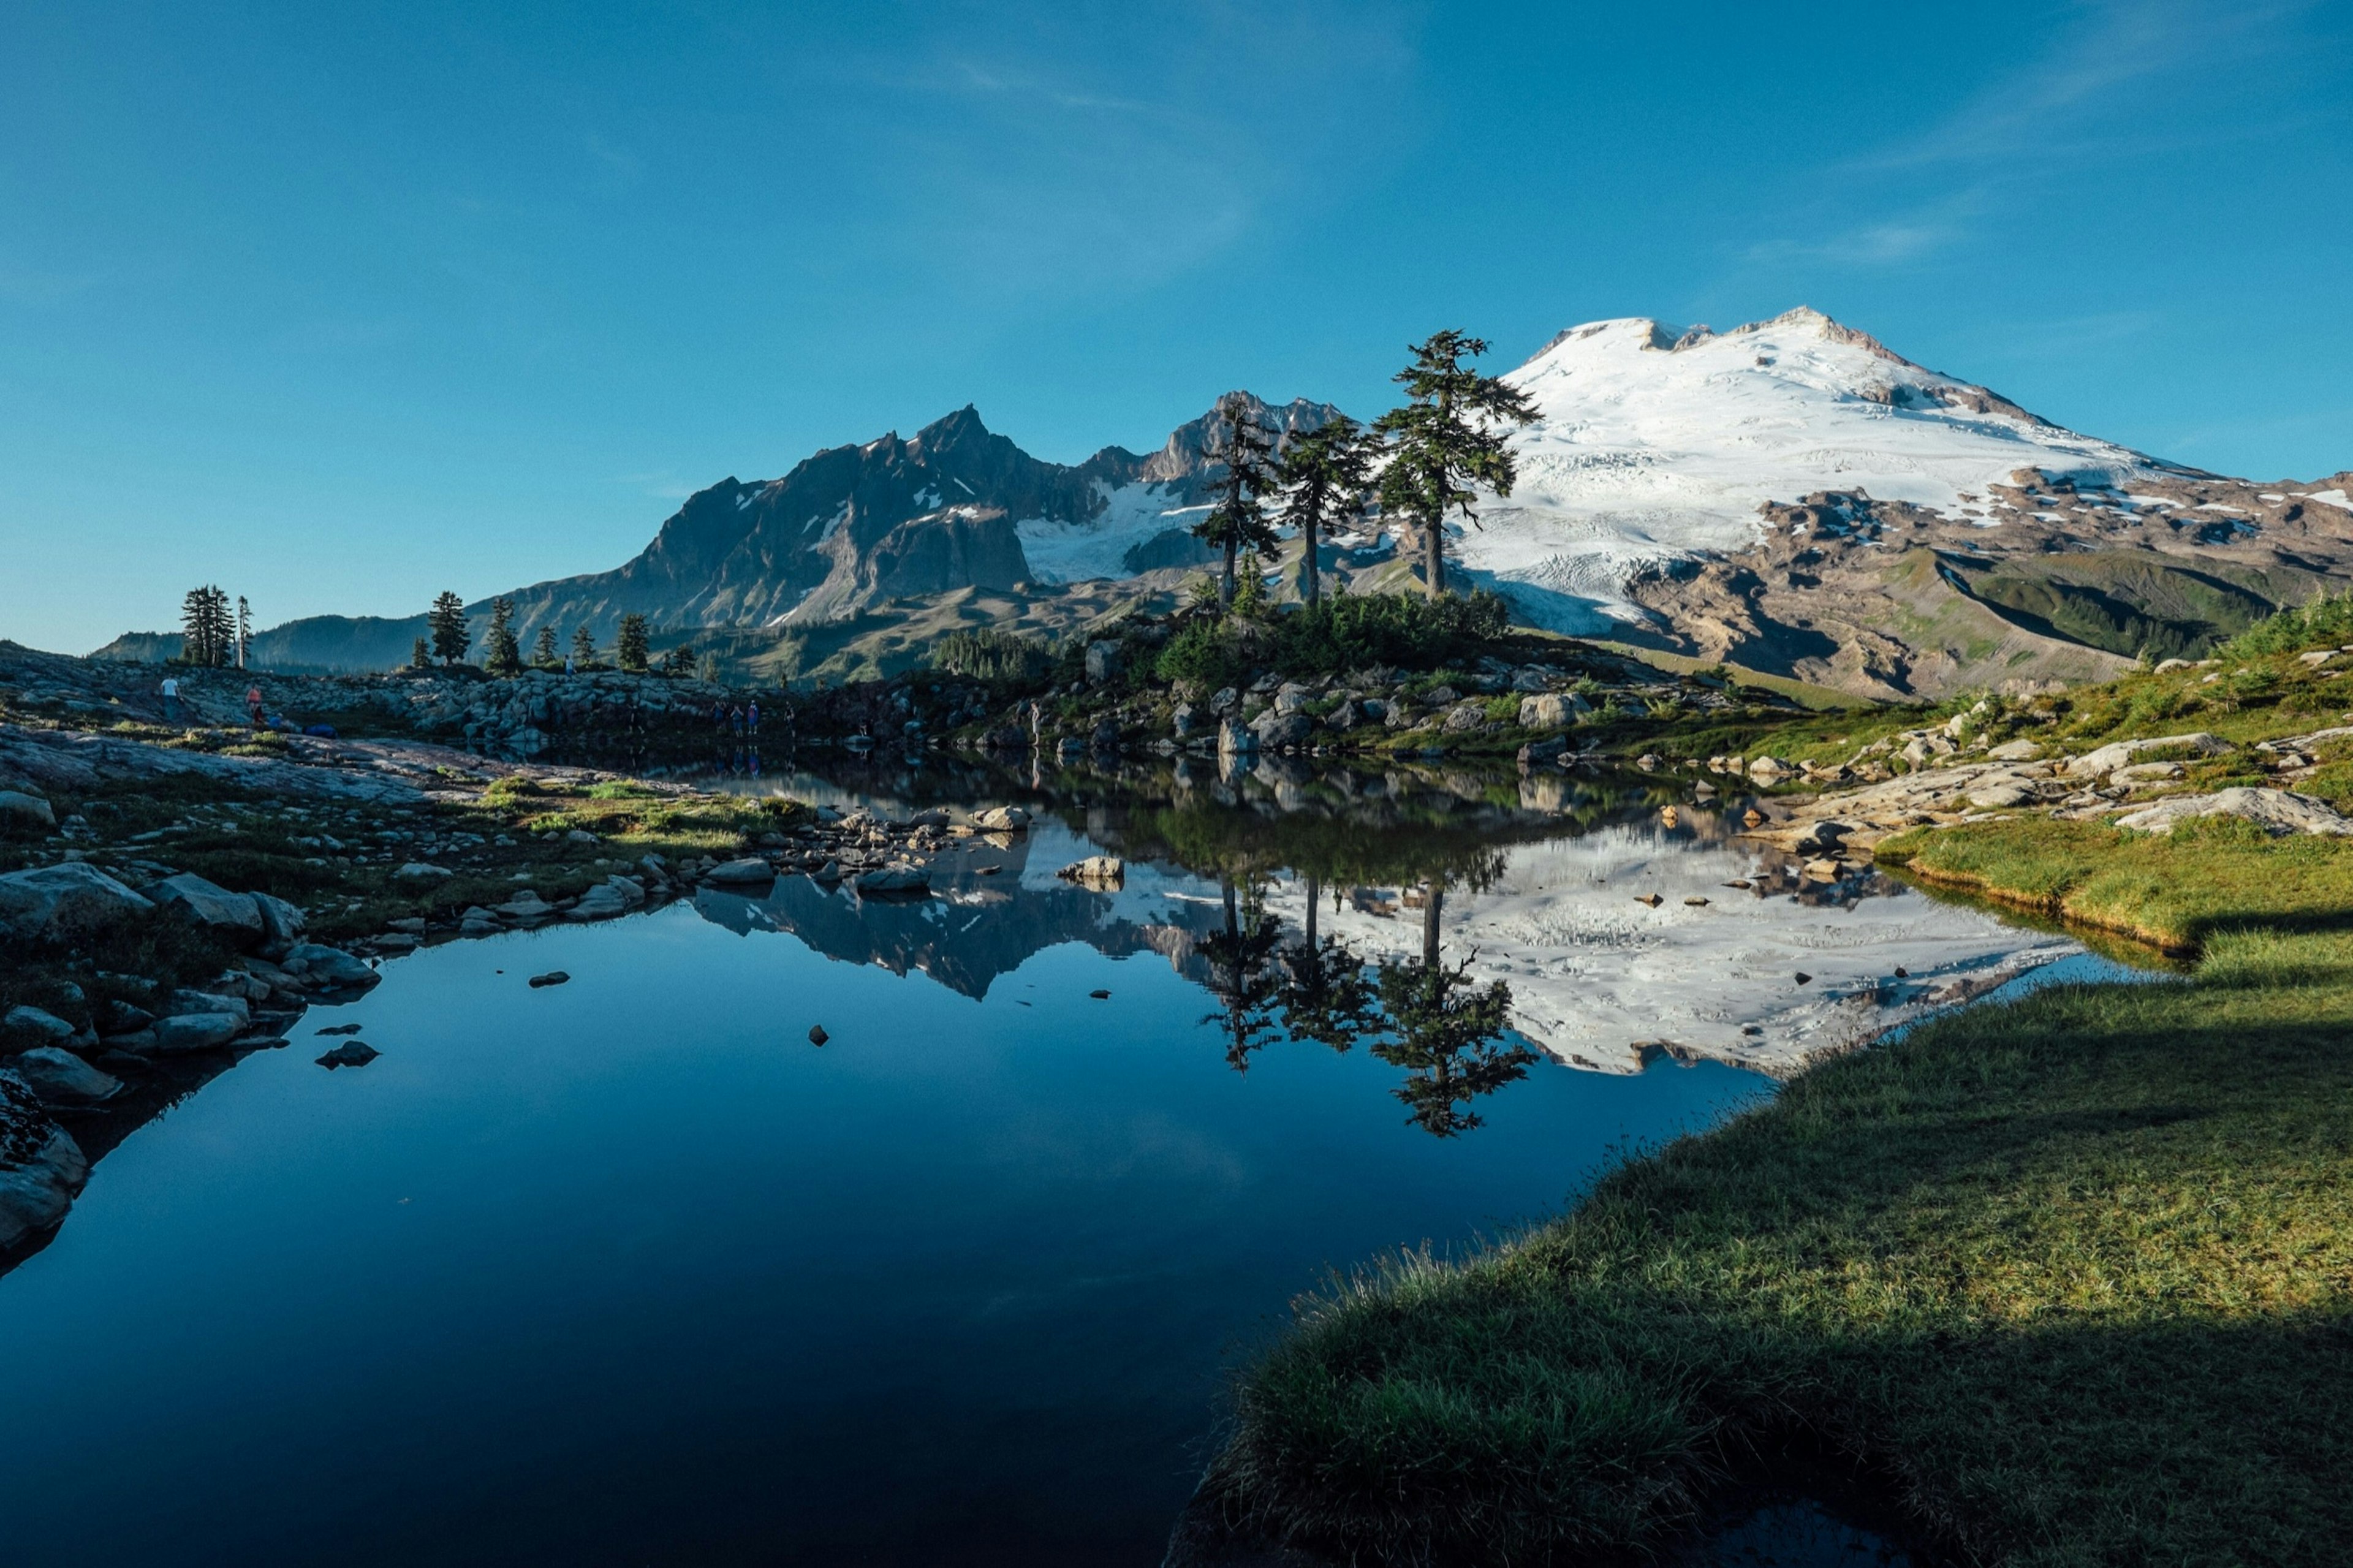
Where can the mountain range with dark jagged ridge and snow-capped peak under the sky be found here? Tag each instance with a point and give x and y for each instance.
(1789, 496)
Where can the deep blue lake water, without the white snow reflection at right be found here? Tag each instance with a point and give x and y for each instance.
(632, 1273)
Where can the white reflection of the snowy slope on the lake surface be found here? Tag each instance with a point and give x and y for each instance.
(1594, 974)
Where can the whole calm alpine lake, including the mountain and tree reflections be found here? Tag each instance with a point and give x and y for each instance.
(639, 1270)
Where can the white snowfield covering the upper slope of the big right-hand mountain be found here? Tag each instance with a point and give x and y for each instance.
(1655, 444)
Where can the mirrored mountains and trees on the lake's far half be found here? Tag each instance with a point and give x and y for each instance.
(1557, 912)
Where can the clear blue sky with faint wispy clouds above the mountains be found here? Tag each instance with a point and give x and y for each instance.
(347, 305)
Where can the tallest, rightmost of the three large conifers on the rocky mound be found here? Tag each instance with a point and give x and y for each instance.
(1446, 439)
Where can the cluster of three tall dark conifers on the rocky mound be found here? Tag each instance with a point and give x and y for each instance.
(1432, 453)
